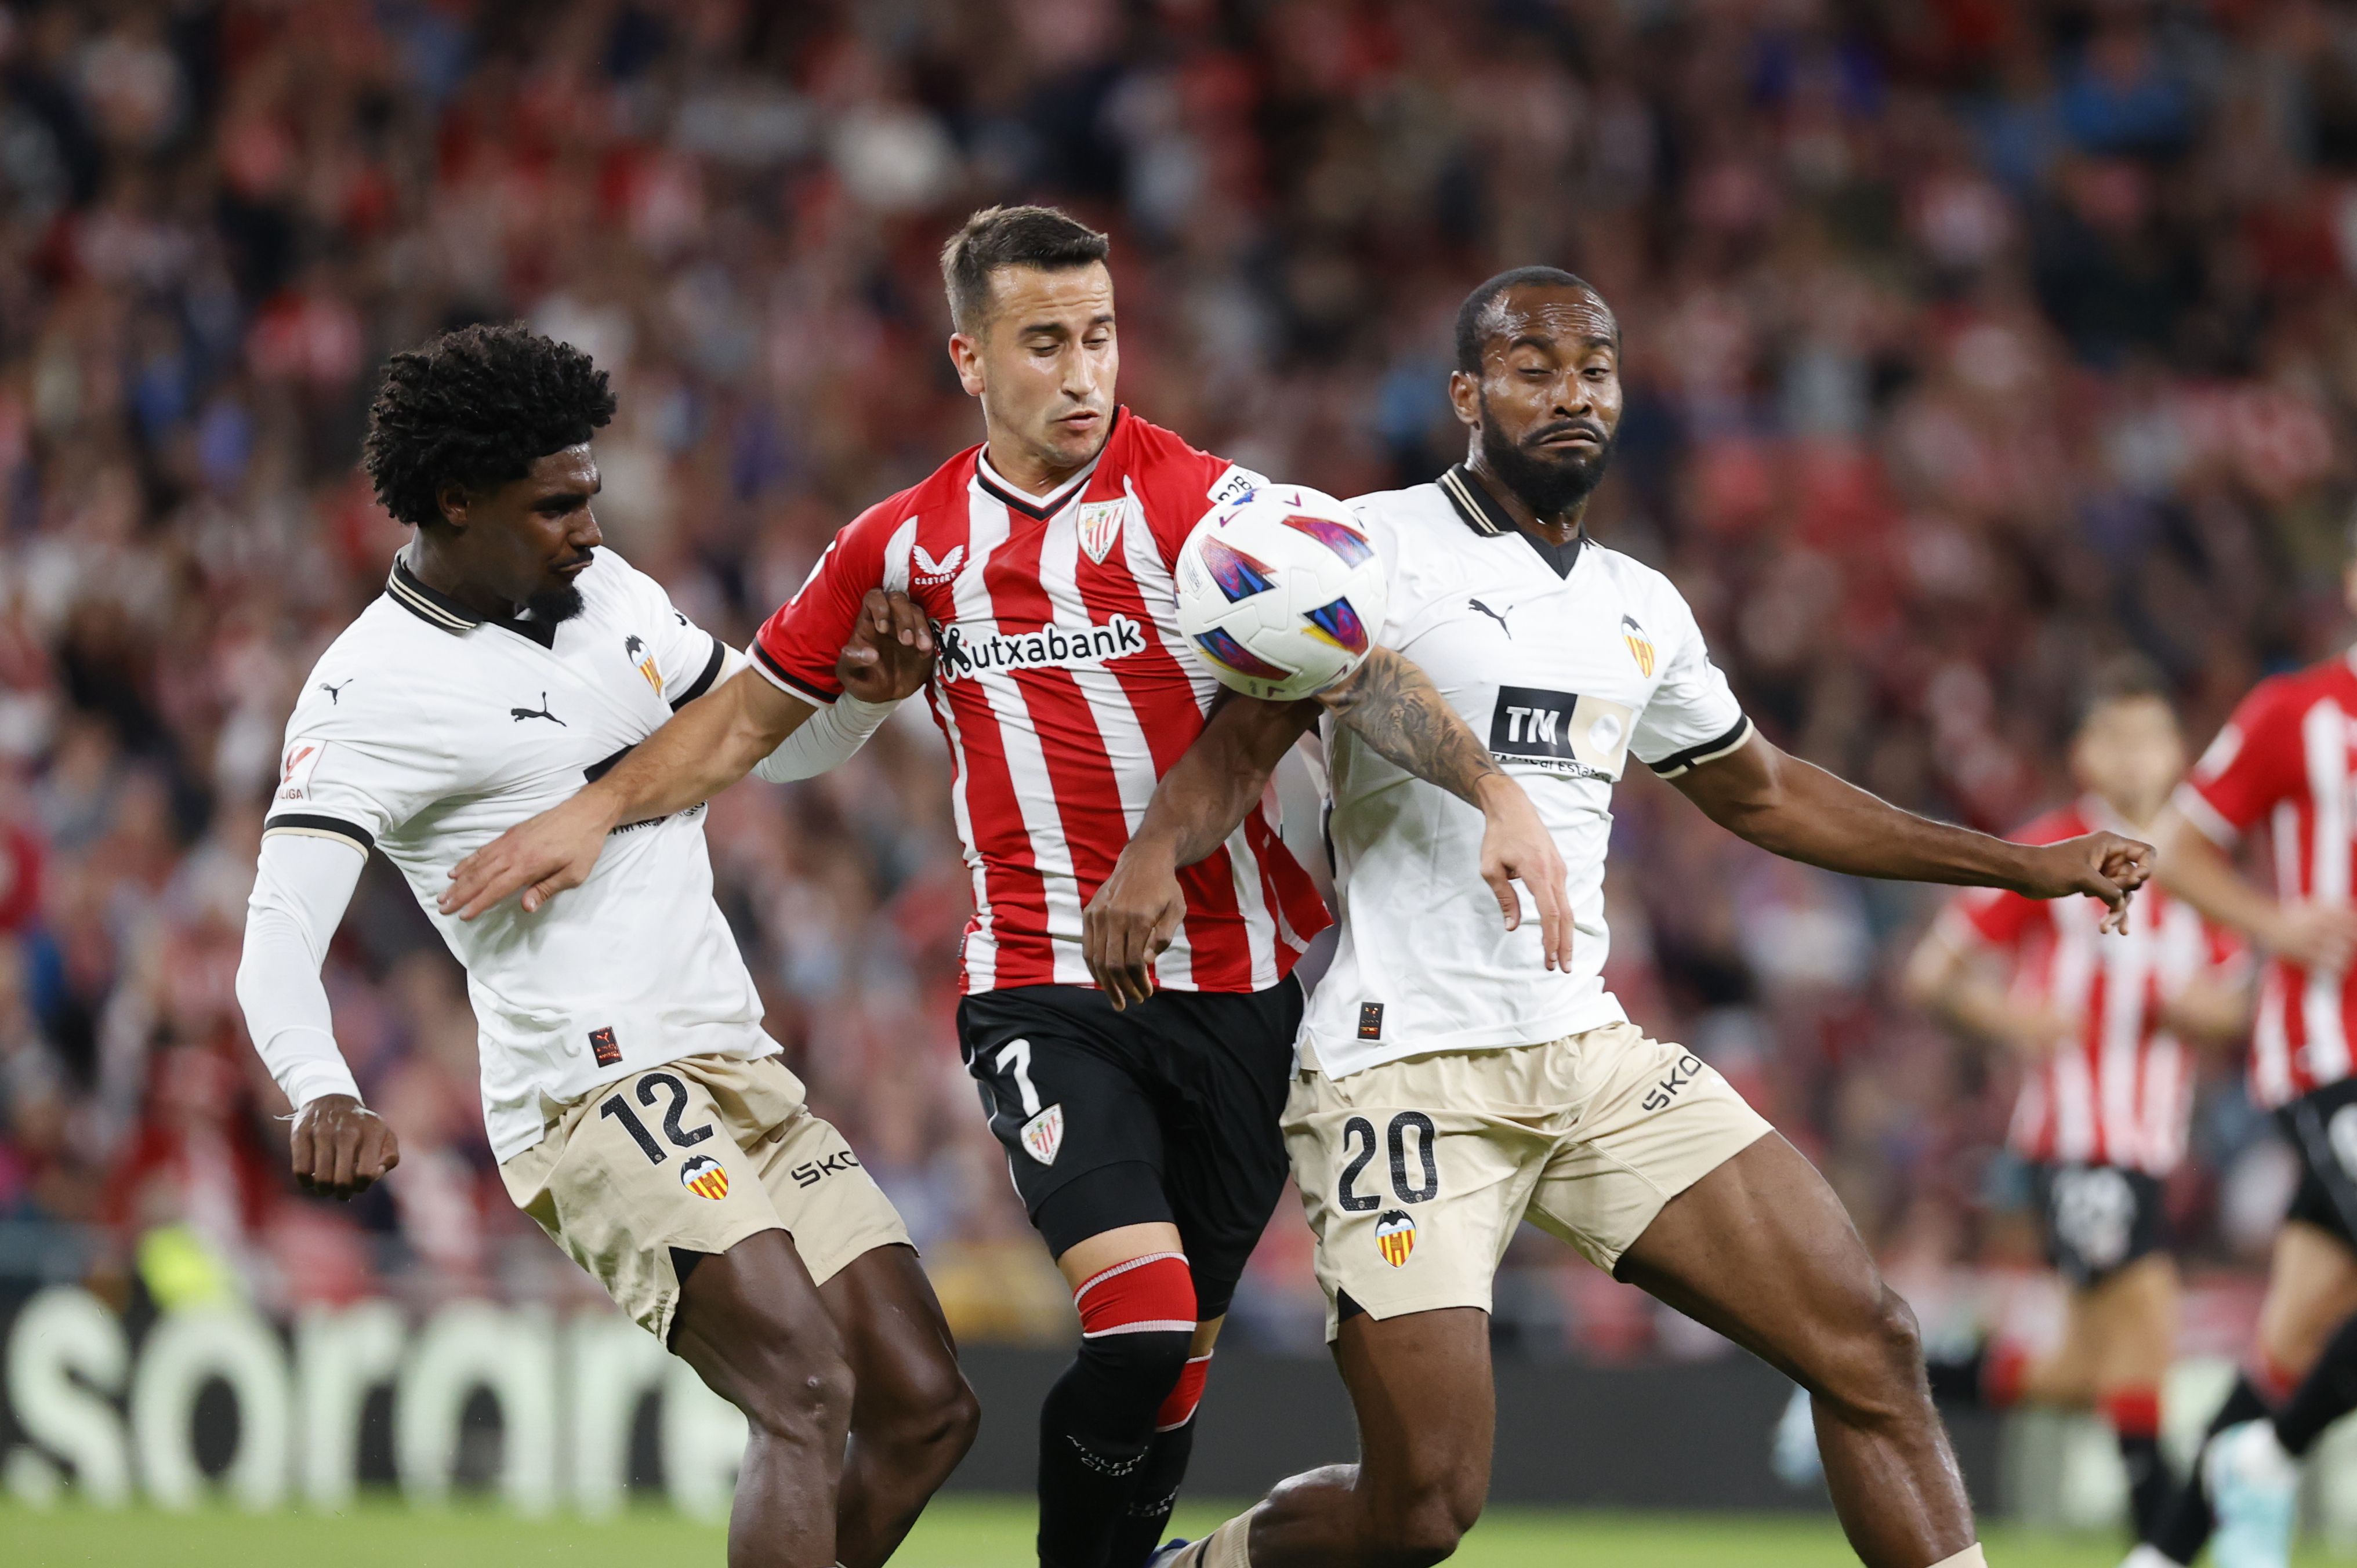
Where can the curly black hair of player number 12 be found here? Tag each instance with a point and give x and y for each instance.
(477, 409)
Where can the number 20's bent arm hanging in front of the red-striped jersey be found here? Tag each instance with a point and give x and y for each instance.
(1194, 810)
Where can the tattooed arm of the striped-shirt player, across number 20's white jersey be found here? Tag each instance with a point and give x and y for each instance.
(1397, 709)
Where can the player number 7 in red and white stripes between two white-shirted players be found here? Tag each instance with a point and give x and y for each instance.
(1144, 1142)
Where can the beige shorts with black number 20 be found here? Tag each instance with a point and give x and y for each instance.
(1418, 1173)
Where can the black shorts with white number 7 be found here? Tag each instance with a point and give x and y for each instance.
(1168, 1112)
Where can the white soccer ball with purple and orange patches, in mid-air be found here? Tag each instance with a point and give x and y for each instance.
(1281, 593)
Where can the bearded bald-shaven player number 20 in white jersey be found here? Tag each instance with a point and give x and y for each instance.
(1453, 1083)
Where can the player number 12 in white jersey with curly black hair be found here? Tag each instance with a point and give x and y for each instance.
(633, 1100)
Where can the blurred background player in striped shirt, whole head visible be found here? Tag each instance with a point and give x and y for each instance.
(2104, 1027)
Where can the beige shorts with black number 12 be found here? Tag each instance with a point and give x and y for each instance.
(696, 1154)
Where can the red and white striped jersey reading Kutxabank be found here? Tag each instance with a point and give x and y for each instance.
(1067, 692)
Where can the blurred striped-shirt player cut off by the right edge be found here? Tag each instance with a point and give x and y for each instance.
(2285, 758)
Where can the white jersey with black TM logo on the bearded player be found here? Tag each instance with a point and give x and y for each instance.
(1566, 666)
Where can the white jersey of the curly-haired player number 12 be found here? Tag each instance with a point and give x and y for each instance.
(425, 732)
